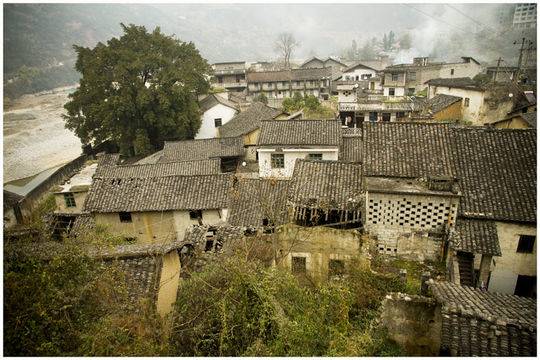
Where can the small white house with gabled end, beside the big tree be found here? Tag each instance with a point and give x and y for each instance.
(216, 111)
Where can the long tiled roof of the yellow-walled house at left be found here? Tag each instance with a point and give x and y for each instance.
(158, 194)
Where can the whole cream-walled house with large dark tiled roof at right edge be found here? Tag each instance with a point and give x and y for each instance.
(496, 232)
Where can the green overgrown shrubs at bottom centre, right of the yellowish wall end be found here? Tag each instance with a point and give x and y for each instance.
(241, 308)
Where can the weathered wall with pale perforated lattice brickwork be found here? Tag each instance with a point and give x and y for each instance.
(410, 226)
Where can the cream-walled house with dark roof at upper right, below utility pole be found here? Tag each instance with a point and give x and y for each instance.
(481, 104)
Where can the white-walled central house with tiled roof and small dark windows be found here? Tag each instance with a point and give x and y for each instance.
(282, 142)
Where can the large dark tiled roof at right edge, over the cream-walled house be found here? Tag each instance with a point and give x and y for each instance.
(497, 170)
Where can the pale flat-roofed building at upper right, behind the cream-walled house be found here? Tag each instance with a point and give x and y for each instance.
(407, 79)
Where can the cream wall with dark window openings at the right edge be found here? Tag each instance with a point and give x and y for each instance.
(511, 263)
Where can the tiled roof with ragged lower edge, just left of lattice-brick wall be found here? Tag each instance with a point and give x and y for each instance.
(326, 184)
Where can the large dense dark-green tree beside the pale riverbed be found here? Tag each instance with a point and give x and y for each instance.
(137, 91)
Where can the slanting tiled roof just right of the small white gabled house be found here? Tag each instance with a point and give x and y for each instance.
(248, 120)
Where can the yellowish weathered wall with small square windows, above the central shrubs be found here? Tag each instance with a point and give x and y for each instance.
(318, 245)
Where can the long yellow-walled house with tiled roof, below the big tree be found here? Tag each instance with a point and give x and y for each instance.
(156, 208)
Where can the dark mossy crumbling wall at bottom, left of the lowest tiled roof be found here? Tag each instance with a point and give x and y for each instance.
(414, 322)
